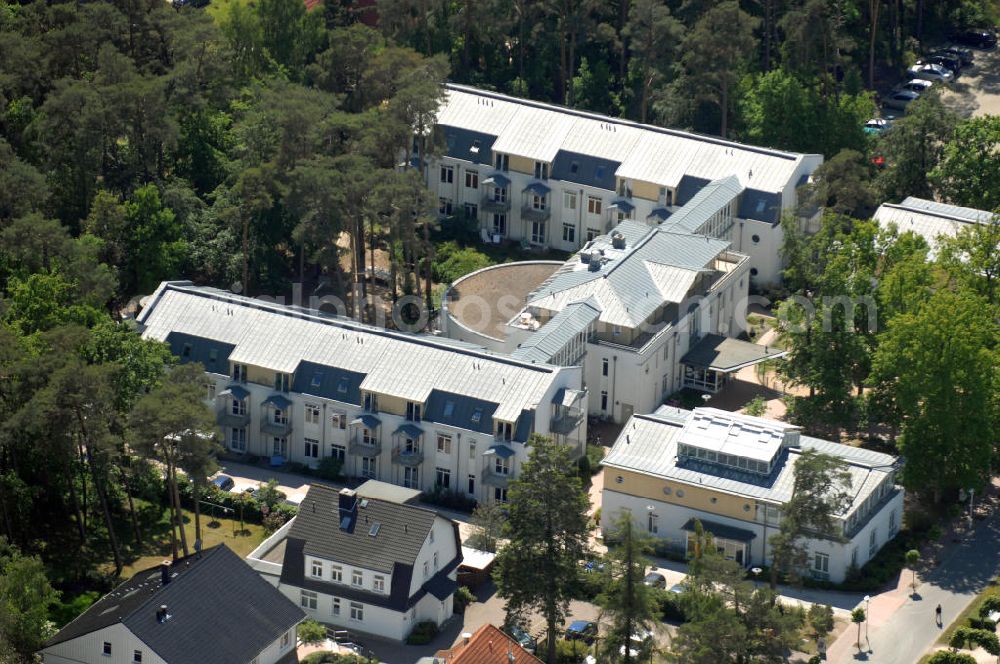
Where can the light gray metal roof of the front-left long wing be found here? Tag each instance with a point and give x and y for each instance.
(402, 365)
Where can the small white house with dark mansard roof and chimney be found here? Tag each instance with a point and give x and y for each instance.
(378, 565)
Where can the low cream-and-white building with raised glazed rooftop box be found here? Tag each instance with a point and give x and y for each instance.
(733, 473)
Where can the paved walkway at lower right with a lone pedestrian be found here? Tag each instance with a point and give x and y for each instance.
(903, 625)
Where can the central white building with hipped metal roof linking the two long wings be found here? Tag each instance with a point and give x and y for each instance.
(644, 310)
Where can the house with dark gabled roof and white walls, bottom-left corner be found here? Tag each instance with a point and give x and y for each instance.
(206, 607)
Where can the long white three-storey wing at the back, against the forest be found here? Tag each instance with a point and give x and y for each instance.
(556, 177)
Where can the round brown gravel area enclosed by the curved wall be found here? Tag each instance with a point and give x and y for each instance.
(484, 302)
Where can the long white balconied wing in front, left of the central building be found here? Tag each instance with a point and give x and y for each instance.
(423, 412)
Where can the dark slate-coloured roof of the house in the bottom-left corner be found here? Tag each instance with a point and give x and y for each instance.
(220, 610)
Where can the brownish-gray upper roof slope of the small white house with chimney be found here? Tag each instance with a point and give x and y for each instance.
(401, 534)
